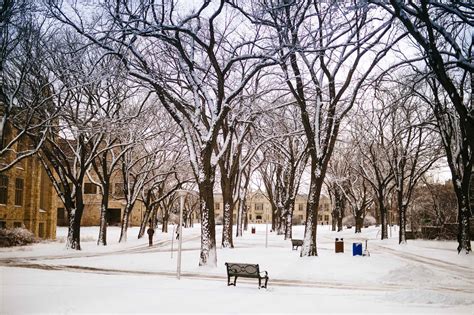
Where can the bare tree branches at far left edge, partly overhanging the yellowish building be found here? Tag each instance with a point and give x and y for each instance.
(25, 91)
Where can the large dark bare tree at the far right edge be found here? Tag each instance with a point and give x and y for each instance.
(443, 32)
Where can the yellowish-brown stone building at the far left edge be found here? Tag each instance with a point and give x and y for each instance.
(26, 195)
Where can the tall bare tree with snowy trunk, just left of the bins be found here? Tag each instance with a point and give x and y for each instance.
(326, 51)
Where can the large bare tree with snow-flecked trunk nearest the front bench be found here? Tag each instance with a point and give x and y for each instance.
(196, 61)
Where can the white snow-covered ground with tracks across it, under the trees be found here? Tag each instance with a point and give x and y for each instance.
(421, 277)
